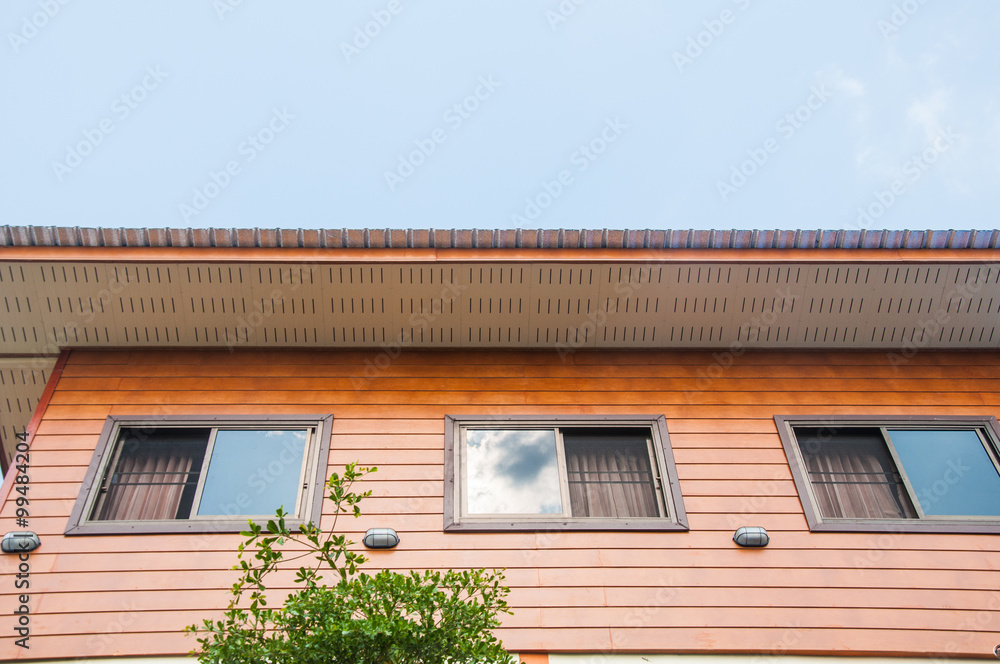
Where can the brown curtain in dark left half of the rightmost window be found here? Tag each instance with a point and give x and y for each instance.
(853, 476)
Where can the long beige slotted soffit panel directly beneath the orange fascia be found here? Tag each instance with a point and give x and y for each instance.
(46, 306)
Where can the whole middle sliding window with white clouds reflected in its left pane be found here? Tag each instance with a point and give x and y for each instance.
(521, 473)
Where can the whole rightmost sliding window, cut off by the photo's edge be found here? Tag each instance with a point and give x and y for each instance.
(931, 475)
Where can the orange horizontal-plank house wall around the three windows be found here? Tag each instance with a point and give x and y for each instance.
(693, 592)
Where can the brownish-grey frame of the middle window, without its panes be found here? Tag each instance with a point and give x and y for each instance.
(663, 467)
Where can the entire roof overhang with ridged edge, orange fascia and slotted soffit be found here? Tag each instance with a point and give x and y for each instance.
(63, 288)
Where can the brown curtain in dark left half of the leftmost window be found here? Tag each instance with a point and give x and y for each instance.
(154, 478)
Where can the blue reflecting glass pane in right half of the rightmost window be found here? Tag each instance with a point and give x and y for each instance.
(950, 472)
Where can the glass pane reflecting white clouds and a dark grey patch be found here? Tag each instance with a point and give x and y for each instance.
(512, 471)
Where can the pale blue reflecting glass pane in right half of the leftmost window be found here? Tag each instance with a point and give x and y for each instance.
(253, 472)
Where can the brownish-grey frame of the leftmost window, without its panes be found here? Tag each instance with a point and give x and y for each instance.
(312, 473)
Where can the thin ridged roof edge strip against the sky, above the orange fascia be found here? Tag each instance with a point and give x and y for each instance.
(53, 236)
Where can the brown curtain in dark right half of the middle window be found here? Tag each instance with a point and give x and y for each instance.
(610, 476)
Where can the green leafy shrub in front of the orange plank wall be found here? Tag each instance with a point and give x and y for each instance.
(340, 614)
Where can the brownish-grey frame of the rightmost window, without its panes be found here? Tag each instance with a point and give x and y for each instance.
(986, 424)
